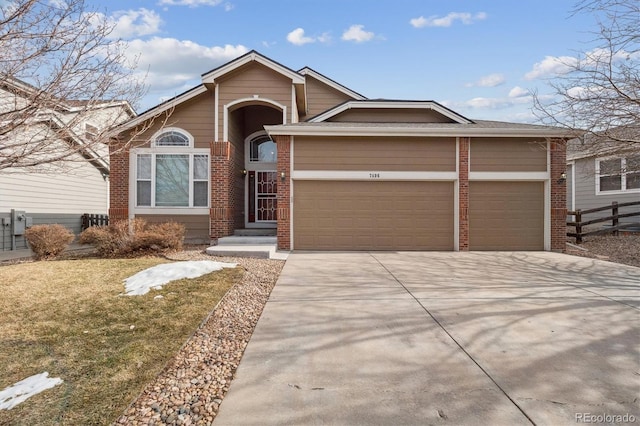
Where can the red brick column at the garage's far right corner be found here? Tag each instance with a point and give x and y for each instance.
(558, 149)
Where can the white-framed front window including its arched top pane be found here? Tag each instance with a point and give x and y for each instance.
(177, 177)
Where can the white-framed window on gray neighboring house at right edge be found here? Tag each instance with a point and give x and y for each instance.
(618, 175)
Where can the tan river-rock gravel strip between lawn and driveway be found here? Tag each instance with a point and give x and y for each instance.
(191, 387)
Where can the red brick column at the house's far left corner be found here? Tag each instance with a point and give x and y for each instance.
(118, 181)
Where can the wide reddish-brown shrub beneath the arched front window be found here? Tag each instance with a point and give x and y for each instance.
(118, 240)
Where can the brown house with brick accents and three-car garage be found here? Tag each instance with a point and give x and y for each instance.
(259, 145)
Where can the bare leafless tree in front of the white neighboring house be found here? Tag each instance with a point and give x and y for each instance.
(64, 81)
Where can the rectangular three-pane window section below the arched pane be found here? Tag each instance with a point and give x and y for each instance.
(172, 180)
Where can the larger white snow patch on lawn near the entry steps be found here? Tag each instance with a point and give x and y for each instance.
(157, 276)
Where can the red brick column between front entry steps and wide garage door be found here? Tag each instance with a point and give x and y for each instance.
(284, 192)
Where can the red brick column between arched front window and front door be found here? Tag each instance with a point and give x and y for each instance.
(221, 213)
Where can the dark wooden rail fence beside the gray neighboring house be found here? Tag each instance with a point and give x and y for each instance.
(579, 223)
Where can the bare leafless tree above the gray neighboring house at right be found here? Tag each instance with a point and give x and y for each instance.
(599, 97)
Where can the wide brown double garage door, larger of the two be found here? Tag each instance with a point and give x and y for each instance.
(366, 215)
